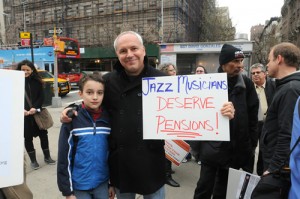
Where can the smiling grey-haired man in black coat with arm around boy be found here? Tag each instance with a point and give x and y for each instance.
(136, 165)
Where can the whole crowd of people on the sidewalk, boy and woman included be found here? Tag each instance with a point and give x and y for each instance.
(260, 110)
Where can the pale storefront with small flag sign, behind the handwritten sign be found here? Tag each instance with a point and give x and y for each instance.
(186, 56)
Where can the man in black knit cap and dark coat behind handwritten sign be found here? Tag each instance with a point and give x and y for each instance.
(218, 156)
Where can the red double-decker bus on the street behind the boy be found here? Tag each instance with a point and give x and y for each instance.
(68, 61)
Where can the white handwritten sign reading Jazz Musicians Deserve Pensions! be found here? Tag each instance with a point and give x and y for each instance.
(185, 107)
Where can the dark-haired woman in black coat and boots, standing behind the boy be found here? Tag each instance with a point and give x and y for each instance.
(34, 91)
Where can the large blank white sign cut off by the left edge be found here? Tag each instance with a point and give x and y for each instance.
(12, 127)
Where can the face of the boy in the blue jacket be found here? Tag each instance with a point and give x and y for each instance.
(92, 94)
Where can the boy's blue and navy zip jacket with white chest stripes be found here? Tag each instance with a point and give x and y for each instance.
(83, 153)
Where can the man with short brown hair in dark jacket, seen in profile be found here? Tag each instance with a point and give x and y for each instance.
(283, 64)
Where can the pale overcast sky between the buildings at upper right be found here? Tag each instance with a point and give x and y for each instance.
(247, 13)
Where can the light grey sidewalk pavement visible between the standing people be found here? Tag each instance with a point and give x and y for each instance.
(42, 182)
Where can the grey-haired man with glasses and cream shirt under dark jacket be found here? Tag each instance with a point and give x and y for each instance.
(265, 88)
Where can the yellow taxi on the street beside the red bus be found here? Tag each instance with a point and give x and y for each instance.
(63, 85)
